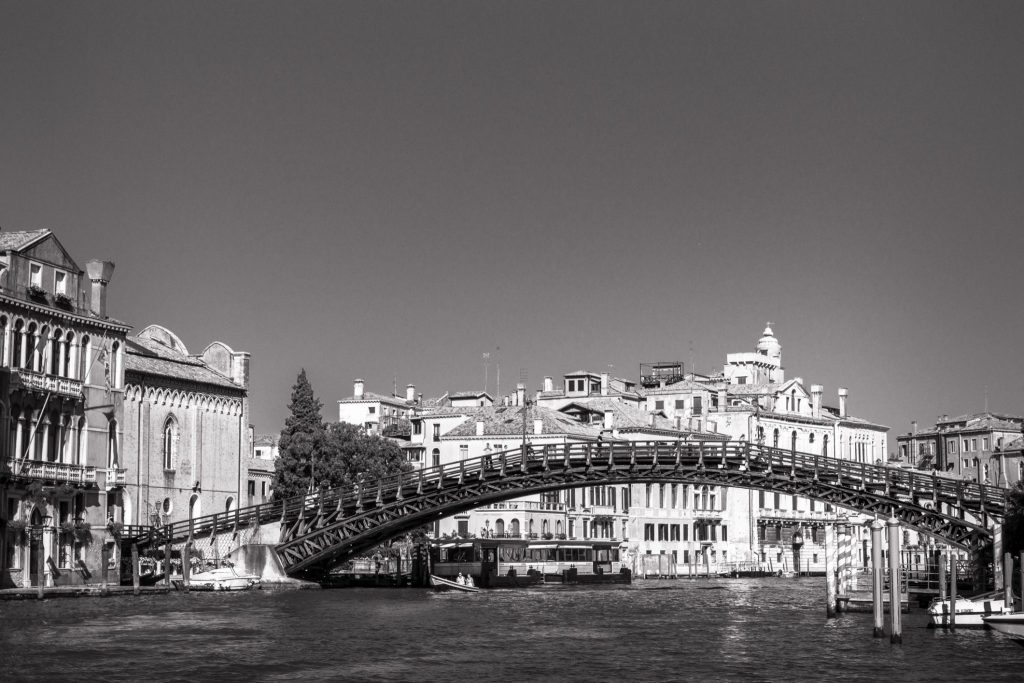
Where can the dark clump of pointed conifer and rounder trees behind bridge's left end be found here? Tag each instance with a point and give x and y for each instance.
(328, 455)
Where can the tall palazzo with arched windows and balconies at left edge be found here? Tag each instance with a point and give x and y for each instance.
(63, 475)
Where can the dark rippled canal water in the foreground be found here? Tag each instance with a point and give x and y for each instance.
(729, 630)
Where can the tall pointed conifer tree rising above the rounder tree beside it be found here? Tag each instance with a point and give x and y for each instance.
(302, 442)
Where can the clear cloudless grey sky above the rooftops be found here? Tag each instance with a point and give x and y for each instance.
(388, 191)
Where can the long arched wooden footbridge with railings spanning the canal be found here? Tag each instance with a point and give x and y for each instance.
(324, 529)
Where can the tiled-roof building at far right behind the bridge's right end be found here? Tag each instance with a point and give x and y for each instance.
(978, 448)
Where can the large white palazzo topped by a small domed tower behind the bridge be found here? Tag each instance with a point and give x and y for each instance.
(751, 400)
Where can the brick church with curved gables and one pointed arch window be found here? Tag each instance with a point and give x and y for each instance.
(187, 433)
